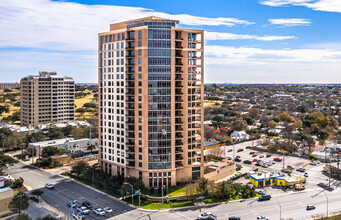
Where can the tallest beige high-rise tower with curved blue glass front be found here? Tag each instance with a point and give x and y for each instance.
(151, 90)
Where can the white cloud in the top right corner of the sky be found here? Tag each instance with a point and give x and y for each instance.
(317, 5)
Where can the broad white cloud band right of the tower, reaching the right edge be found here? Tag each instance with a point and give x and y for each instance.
(224, 55)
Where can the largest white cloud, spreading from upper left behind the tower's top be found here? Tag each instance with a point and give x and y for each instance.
(73, 26)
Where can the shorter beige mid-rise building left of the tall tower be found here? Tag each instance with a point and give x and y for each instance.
(46, 98)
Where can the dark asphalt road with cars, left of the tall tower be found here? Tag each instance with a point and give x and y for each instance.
(65, 190)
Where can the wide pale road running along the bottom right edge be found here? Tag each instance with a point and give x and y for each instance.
(292, 206)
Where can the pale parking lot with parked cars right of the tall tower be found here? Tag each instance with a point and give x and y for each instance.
(314, 172)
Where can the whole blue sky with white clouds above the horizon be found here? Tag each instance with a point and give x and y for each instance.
(246, 41)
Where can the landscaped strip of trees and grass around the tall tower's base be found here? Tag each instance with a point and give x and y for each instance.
(203, 191)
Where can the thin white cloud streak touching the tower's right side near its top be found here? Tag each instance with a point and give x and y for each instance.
(231, 36)
